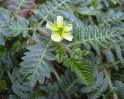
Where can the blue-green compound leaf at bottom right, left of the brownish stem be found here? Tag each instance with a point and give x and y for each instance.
(98, 88)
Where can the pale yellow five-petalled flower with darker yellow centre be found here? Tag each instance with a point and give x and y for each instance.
(60, 30)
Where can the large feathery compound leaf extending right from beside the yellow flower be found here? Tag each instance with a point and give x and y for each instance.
(97, 37)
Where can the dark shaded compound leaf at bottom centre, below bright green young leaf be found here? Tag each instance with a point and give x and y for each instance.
(68, 86)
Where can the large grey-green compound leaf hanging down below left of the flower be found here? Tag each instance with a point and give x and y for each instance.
(37, 63)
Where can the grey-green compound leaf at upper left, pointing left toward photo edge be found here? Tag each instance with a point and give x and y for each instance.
(14, 28)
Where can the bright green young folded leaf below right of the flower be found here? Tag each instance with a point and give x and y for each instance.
(82, 71)
